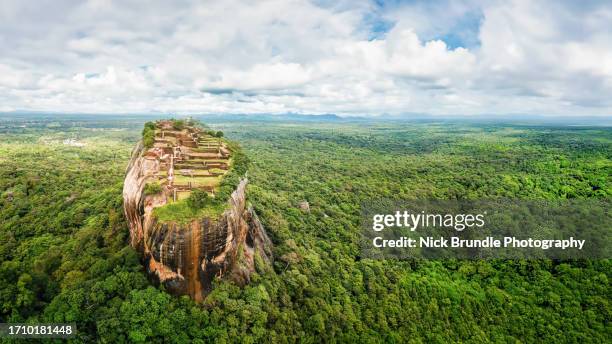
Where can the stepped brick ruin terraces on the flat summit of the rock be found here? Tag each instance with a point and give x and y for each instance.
(186, 158)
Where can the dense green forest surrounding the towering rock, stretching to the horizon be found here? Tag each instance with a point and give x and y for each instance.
(65, 257)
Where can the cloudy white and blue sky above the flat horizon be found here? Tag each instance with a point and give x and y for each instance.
(368, 58)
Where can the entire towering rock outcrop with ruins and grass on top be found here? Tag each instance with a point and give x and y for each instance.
(187, 246)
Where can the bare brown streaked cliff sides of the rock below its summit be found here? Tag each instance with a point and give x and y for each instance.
(186, 257)
